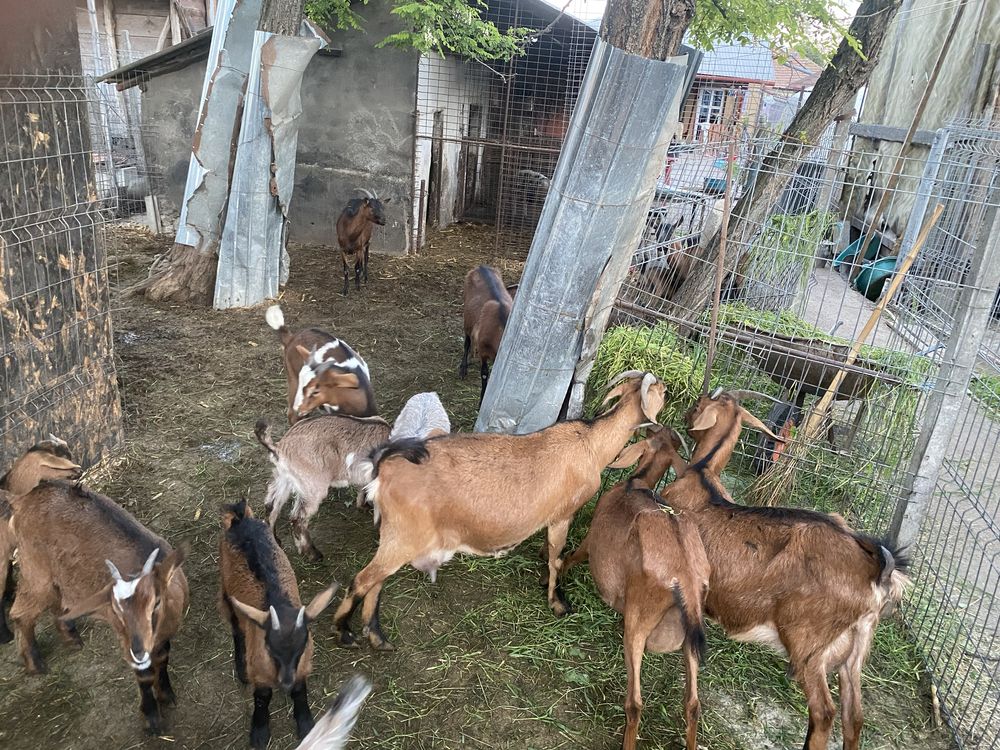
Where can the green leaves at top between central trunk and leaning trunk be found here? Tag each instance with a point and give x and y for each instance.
(812, 28)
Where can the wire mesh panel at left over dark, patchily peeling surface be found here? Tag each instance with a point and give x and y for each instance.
(58, 371)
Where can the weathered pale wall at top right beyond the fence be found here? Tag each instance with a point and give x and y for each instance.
(901, 74)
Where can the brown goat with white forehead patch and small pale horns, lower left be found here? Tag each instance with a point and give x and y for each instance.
(83, 554)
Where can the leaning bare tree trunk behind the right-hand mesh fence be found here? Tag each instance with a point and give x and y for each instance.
(832, 97)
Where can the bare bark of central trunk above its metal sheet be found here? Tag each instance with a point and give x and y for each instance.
(650, 28)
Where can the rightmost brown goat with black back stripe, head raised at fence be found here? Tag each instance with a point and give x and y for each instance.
(799, 581)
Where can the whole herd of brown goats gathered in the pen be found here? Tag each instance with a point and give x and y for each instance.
(800, 581)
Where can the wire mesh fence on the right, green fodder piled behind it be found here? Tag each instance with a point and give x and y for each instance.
(801, 291)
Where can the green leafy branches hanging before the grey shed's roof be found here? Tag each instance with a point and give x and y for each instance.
(442, 26)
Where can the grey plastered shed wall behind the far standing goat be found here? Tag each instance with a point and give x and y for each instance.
(356, 131)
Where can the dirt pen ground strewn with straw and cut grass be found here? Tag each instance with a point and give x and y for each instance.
(480, 661)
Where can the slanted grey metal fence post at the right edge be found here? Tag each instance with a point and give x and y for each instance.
(952, 382)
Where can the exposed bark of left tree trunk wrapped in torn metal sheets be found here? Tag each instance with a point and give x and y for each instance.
(187, 274)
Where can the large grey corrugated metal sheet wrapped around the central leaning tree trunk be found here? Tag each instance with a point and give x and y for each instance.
(596, 208)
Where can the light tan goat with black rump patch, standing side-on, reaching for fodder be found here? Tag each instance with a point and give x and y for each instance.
(485, 493)
